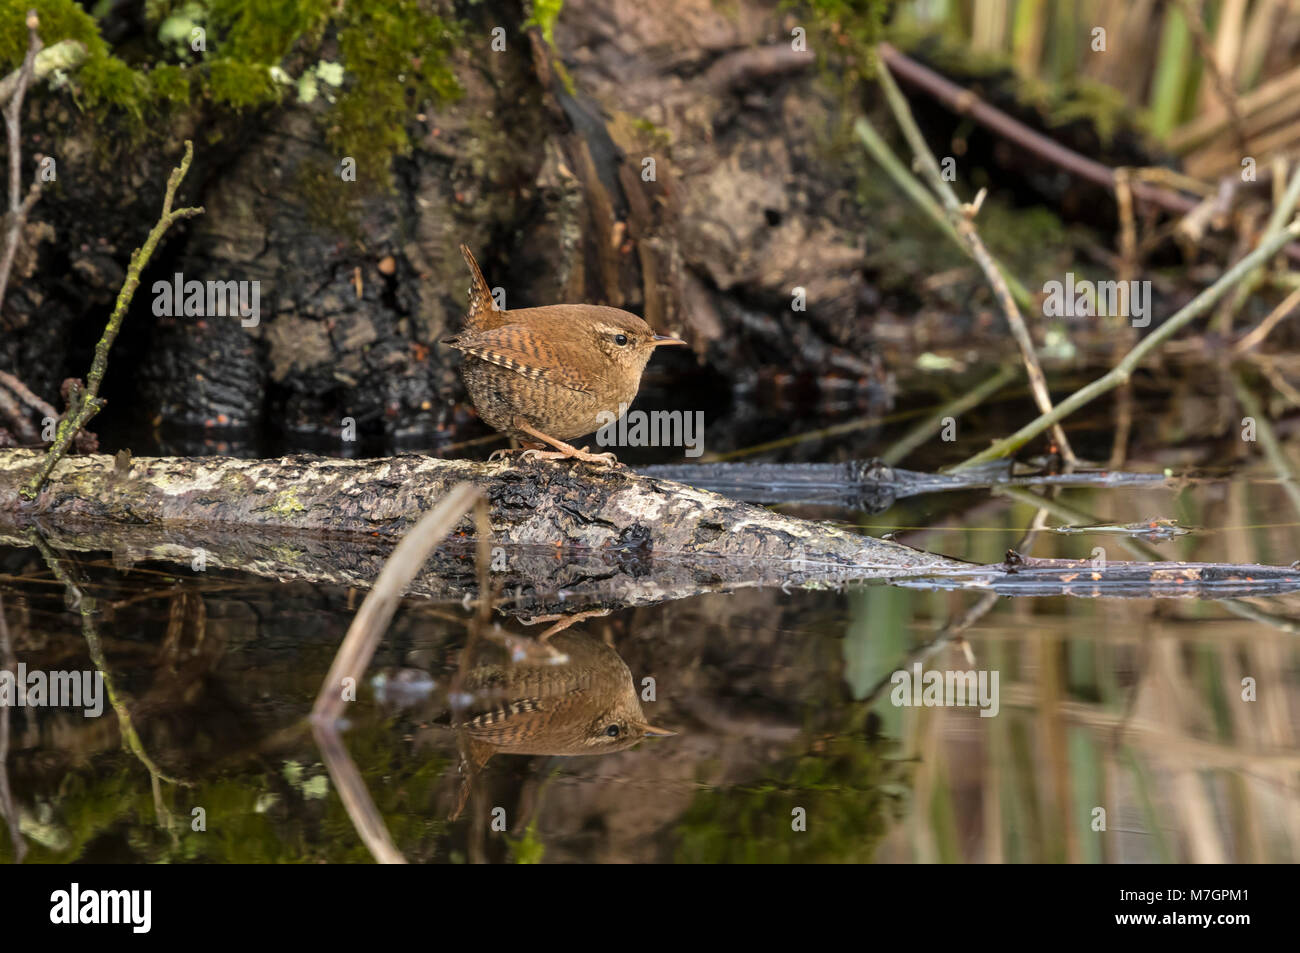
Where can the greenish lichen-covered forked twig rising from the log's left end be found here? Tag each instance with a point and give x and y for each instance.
(85, 402)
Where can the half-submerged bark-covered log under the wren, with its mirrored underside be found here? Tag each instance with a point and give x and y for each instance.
(566, 538)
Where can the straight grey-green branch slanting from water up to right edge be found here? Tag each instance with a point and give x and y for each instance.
(1120, 374)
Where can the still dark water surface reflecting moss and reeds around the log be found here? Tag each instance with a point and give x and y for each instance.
(1125, 730)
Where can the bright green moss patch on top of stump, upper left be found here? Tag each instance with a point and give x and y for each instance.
(396, 59)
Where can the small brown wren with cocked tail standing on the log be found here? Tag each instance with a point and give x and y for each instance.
(547, 375)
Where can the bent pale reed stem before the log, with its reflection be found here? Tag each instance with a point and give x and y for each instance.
(363, 638)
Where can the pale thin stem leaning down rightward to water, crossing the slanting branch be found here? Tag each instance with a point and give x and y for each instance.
(963, 219)
